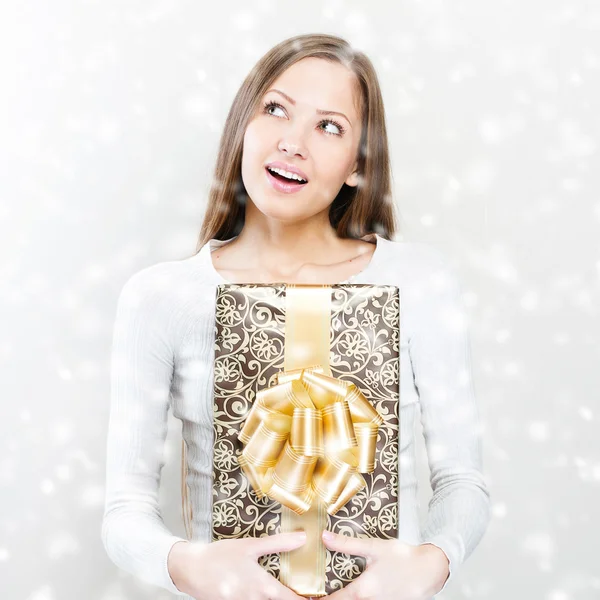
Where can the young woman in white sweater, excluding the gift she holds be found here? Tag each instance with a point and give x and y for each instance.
(302, 194)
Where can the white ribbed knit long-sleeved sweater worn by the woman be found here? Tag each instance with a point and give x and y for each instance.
(162, 358)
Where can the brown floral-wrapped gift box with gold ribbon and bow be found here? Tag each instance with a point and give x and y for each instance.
(306, 411)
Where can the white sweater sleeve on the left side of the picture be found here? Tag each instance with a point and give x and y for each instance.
(133, 532)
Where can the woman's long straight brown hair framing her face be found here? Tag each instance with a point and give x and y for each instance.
(355, 211)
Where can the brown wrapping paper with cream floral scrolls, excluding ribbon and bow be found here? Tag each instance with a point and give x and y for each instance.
(249, 351)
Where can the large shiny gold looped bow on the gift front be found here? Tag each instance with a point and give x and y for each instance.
(308, 436)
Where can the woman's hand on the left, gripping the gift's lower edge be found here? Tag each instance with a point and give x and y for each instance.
(229, 569)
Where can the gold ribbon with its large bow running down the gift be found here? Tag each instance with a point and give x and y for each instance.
(303, 434)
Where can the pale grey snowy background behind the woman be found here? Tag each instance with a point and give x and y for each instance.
(110, 117)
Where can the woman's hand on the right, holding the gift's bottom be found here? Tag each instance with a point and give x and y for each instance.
(395, 570)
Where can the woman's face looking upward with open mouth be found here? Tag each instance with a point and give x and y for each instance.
(287, 128)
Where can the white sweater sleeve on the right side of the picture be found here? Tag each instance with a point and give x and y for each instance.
(439, 349)
